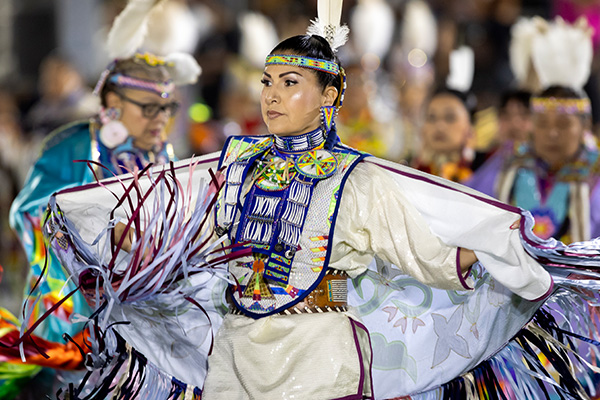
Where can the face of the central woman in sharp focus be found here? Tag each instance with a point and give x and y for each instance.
(291, 98)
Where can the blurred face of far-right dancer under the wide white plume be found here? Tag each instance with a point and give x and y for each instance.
(557, 136)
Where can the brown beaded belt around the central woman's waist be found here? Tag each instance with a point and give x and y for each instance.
(330, 295)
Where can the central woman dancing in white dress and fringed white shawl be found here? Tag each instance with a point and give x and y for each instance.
(303, 213)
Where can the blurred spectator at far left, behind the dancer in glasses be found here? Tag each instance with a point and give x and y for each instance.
(64, 97)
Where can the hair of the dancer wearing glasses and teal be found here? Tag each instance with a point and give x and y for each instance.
(135, 68)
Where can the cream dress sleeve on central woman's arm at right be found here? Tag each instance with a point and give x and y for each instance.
(375, 218)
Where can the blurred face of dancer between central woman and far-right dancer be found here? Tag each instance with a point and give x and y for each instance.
(447, 125)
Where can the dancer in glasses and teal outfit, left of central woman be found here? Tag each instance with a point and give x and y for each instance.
(137, 93)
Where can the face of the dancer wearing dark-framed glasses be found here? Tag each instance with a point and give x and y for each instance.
(147, 131)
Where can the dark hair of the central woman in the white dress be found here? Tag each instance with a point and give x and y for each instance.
(313, 46)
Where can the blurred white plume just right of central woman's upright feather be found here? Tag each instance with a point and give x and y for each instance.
(372, 24)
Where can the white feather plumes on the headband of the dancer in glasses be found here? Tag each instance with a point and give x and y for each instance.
(130, 30)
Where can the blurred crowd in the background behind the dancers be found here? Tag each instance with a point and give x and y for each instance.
(51, 54)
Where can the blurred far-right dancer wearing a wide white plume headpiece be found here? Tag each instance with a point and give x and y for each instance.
(555, 174)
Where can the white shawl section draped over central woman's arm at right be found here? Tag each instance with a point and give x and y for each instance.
(463, 217)
